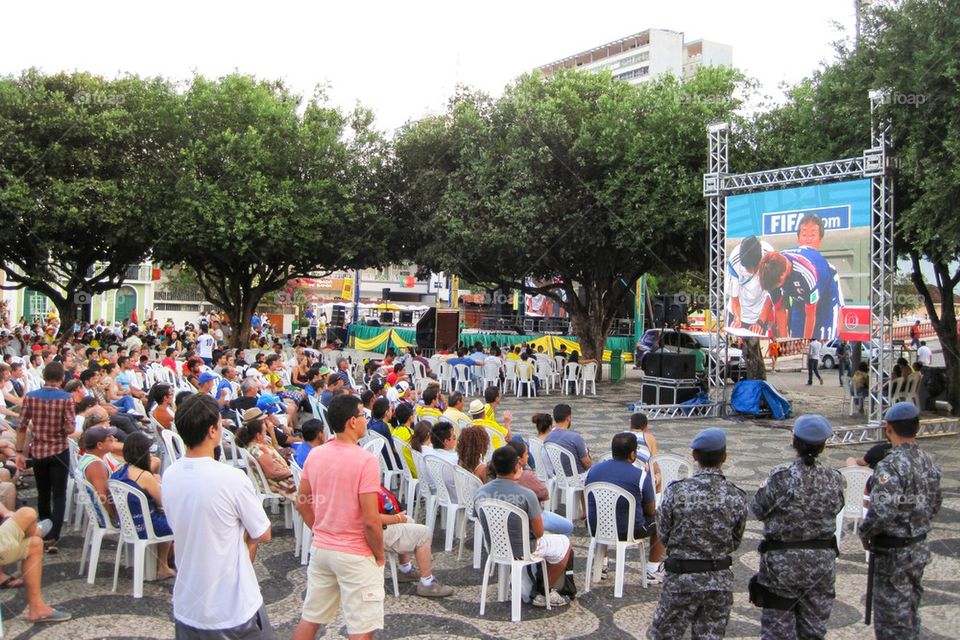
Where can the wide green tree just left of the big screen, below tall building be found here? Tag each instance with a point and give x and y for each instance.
(570, 186)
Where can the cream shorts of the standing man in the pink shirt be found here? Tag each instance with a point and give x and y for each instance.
(335, 578)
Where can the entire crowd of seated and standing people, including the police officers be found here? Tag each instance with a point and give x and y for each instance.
(300, 413)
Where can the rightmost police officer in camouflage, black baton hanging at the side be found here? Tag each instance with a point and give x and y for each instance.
(904, 497)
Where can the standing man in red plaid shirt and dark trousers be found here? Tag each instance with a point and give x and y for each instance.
(47, 417)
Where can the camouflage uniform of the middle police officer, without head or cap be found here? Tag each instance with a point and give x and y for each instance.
(799, 502)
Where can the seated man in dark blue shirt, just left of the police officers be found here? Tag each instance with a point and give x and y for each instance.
(622, 472)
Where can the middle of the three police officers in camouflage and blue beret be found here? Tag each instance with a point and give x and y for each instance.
(798, 505)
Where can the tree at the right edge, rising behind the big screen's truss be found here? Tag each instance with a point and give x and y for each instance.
(905, 50)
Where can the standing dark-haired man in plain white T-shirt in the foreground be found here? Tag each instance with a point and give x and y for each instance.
(217, 523)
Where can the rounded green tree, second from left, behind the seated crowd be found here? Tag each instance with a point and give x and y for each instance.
(266, 195)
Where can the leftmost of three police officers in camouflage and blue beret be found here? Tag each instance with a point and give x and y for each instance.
(701, 521)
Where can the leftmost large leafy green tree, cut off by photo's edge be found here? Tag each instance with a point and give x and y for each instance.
(83, 180)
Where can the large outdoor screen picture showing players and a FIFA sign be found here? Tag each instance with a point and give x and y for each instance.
(795, 258)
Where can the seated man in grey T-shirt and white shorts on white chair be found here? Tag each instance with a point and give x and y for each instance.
(553, 548)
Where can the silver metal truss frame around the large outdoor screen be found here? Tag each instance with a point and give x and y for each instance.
(718, 183)
